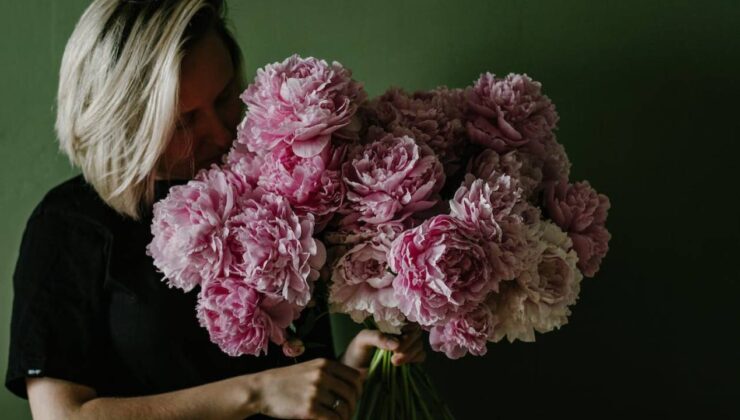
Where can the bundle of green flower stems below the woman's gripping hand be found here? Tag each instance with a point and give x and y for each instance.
(399, 392)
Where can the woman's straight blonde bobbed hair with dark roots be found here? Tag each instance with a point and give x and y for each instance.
(118, 90)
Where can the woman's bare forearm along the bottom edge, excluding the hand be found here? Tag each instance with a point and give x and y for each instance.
(233, 398)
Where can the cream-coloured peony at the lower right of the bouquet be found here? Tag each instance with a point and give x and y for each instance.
(539, 299)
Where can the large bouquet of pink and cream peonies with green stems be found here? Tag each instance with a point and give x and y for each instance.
(449, 208)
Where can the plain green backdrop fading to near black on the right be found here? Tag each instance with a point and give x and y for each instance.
(647, 93)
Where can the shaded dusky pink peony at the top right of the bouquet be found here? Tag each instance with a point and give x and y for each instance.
(508, 113)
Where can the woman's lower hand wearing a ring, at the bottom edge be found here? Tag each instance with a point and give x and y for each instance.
(309, 390)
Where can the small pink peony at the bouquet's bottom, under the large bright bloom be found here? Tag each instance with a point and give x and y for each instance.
(464, 333)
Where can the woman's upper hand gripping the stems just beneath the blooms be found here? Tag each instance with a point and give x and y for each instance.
(407, 348)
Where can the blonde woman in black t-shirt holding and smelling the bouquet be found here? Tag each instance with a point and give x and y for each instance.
(148, 95)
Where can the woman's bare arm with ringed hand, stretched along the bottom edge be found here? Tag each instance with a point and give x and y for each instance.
(304, 390)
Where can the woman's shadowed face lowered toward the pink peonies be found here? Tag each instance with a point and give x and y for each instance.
(209, 110)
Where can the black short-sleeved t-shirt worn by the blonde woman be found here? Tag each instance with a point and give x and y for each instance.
(90, 307)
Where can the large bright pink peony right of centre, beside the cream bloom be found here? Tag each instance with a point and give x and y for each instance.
(442, 270)
